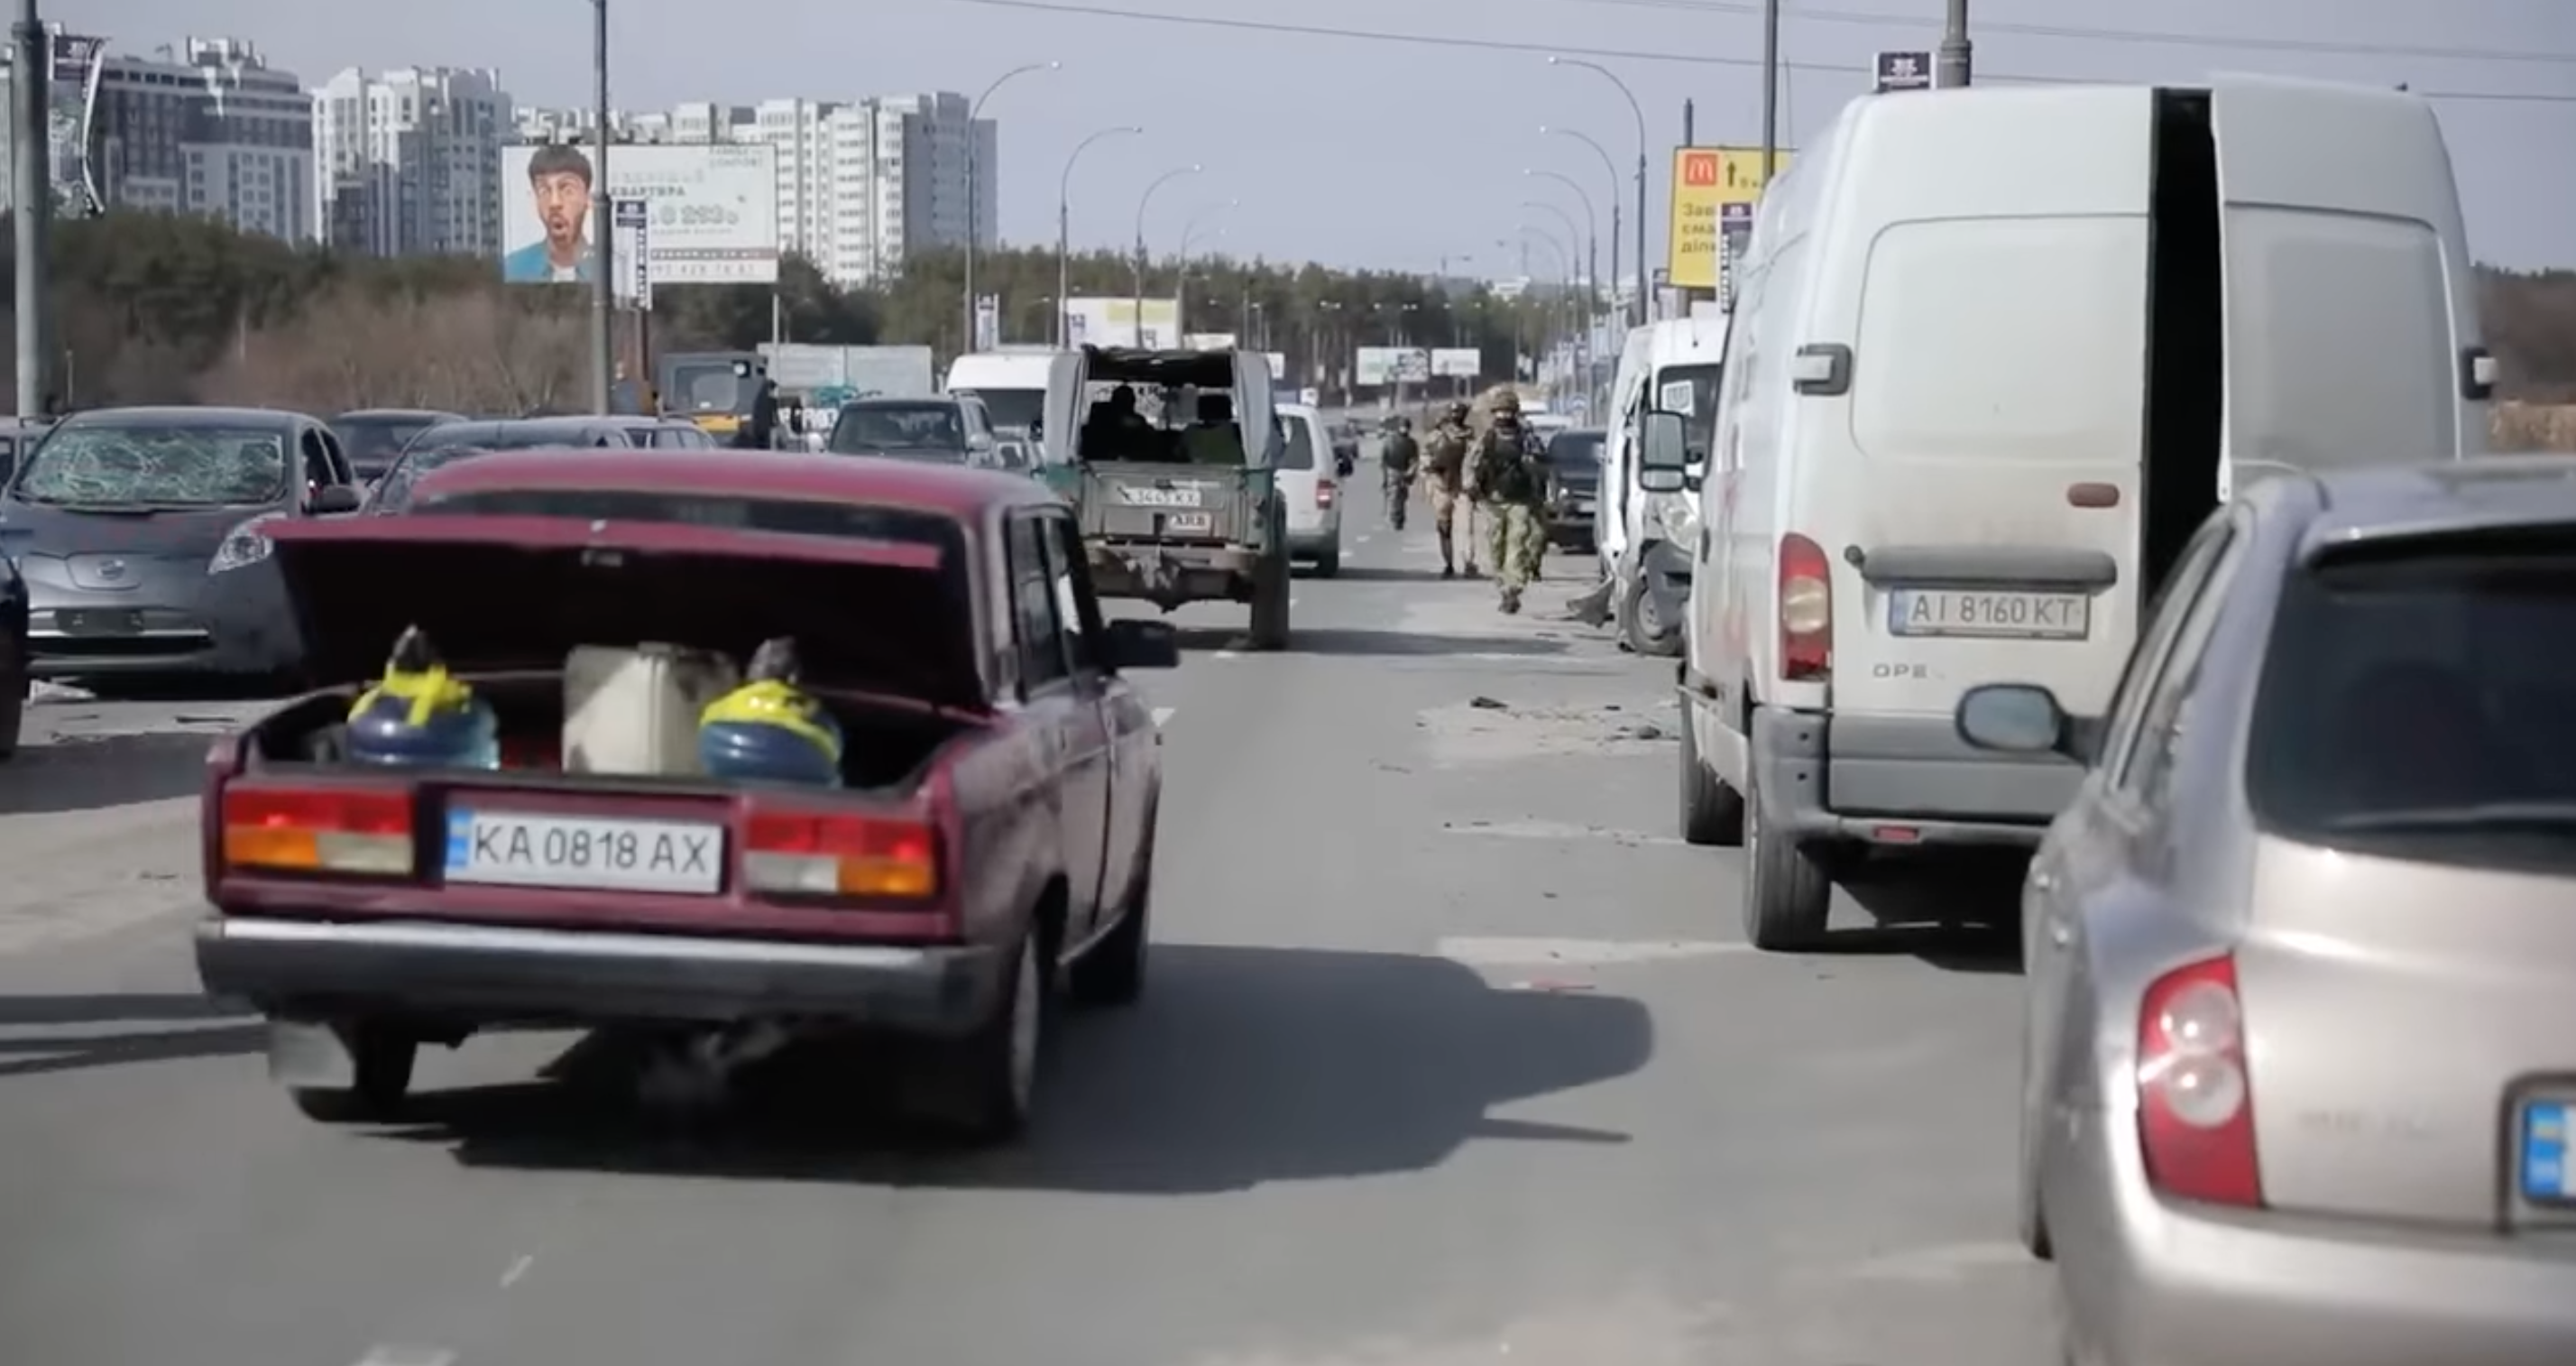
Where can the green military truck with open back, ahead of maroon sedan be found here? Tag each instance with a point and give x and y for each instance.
(1176, 496)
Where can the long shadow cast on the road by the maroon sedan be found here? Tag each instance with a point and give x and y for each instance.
(1240, 1068)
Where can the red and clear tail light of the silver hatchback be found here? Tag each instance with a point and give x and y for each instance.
(2196, 1099)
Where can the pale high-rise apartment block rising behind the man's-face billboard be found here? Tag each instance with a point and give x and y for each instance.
(859, 184)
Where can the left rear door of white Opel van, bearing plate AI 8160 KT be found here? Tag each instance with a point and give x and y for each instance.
(1982, 524)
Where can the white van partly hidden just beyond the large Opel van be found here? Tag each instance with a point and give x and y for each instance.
(1642, 537)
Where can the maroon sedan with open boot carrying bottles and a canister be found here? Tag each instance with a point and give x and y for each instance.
(993, 834)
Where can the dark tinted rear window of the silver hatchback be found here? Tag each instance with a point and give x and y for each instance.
(2425, 700)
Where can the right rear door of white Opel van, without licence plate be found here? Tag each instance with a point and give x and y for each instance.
(2351, 298)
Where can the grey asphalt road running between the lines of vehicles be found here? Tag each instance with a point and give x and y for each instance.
(1452, 1055)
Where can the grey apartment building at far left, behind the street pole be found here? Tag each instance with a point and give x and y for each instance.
(207, 128)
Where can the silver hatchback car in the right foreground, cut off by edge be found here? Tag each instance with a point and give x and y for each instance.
(2299, 1076)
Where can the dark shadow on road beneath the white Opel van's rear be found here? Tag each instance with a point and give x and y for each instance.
(1959, 916)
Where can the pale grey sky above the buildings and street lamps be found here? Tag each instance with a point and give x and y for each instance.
(1395, 133)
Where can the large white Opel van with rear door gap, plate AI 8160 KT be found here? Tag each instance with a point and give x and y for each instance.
(1998, 354)
